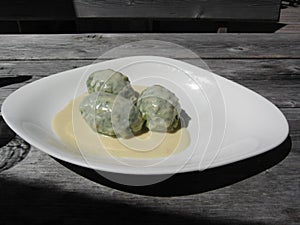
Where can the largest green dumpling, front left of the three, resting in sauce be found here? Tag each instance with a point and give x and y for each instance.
(111, 115)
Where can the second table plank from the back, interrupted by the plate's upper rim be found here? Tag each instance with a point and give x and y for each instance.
(248, 69)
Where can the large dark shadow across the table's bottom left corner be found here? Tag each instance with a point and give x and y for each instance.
(43, 204)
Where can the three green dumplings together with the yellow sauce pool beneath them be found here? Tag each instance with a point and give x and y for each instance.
(91, 122)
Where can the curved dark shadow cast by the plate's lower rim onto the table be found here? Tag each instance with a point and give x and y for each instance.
(196, 182)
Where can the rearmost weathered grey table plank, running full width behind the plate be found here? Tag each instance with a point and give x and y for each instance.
(92, 46)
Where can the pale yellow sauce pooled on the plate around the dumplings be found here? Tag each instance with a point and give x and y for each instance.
(74, 132)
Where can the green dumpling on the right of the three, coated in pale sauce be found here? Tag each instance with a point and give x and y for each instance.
(160, 108)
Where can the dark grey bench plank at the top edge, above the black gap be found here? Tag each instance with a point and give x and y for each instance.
(267, 10)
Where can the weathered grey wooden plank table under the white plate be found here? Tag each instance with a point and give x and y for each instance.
(40, 190)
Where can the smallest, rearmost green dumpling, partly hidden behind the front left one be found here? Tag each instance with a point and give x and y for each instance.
(112, 82)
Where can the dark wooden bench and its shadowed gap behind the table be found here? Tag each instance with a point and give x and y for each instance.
(69, 16)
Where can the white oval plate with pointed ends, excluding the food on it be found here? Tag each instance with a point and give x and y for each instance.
(228, 121)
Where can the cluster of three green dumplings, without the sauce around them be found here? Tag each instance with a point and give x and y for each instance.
(114, 108)
